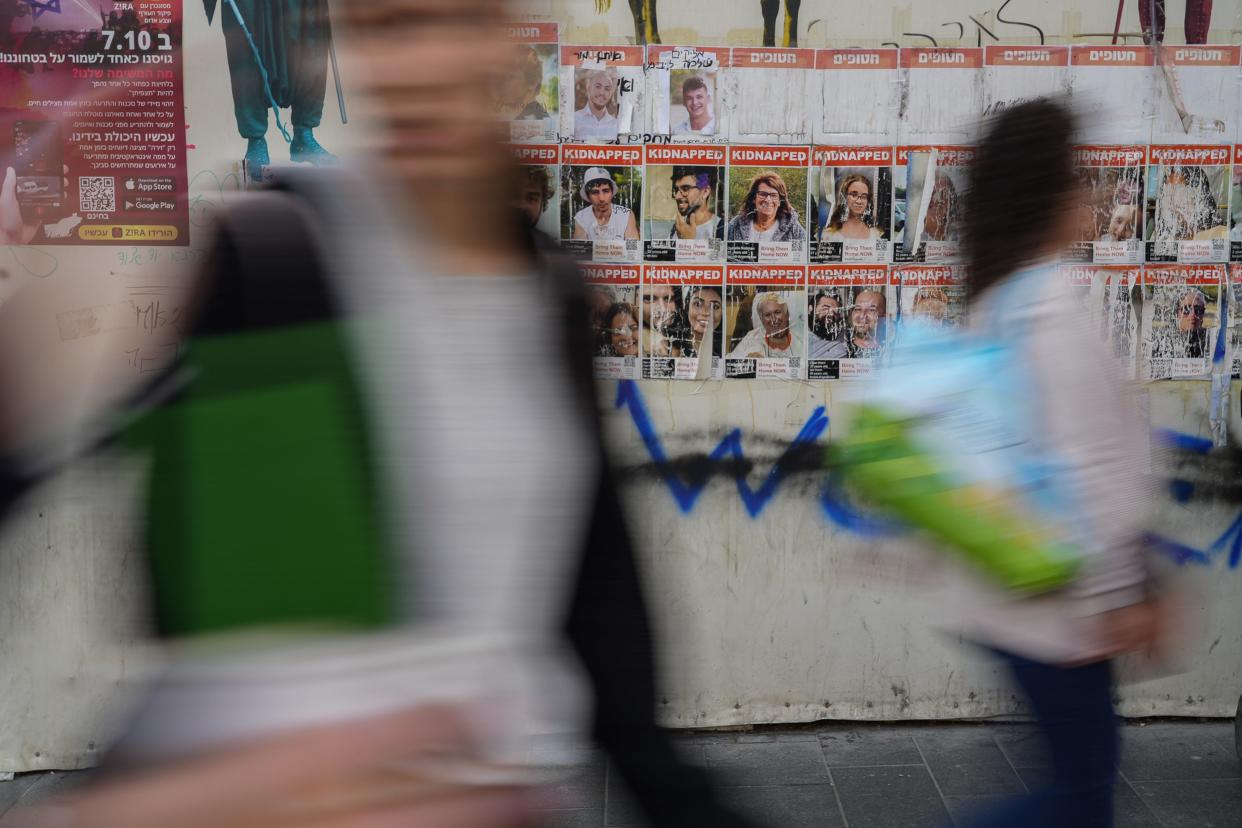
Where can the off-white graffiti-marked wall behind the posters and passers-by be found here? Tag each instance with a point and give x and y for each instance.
(769, 609)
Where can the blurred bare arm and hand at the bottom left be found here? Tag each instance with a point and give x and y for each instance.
(333, 776)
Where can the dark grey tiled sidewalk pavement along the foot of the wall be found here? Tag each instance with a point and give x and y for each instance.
(849, 775)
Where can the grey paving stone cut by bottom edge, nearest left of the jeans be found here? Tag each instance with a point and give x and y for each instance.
(890, 798)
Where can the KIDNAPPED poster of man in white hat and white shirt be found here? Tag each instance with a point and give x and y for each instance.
(602, 202)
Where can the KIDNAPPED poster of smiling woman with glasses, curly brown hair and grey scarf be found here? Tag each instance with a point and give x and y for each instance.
(767, 197)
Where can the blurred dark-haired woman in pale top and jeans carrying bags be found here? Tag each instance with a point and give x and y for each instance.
(1059, 646)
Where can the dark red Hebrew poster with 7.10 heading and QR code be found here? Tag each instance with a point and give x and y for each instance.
(93, 125)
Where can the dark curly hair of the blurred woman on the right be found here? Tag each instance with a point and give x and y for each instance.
(1023, 172)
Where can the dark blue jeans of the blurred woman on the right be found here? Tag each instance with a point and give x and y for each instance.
(1075, 712)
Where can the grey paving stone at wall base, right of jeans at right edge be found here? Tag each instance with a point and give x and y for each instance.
(1177, 752)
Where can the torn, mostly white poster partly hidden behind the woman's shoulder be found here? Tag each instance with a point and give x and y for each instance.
(1105, 292)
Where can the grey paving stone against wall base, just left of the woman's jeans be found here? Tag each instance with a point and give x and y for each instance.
(967, 762)
